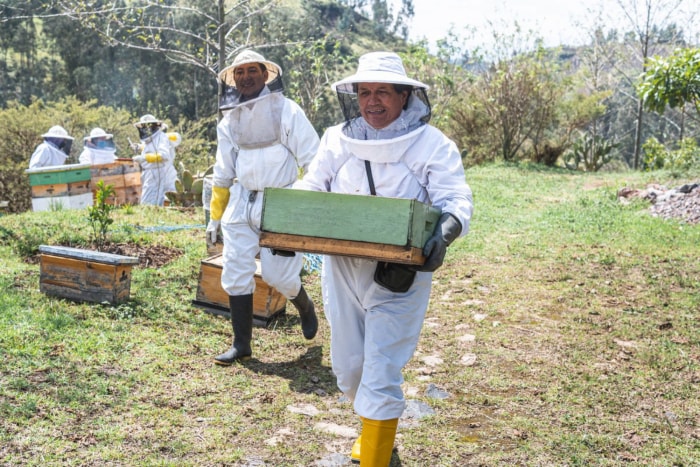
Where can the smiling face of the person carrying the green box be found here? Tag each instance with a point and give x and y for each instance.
(380, 104)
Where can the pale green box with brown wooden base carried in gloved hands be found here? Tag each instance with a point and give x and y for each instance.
(372, 227)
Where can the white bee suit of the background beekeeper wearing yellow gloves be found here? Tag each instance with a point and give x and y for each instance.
(157, 177)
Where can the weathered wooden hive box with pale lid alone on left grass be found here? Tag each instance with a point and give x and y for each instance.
(85, 275)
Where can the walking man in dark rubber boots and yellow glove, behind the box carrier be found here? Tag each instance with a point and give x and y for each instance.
(263, 140)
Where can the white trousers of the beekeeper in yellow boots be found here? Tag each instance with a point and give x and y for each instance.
(374, 333)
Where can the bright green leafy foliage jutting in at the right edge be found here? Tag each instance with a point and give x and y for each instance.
(672, 82)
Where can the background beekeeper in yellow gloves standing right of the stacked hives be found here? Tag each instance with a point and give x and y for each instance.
(158, 172)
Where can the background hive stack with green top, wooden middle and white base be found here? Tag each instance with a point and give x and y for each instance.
(60, 187)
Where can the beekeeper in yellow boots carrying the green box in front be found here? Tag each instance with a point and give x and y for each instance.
(385, 148)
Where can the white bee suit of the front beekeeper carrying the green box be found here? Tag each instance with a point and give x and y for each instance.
(374, 332)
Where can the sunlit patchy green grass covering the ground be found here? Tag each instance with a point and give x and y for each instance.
(582, 314)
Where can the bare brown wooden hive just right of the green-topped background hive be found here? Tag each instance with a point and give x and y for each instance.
(124, 175)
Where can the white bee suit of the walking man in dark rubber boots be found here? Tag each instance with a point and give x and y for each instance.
(261, 143)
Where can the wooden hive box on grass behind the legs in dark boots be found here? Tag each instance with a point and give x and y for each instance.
(268, 303)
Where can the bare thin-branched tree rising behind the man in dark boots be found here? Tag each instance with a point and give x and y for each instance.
(199, 34)
